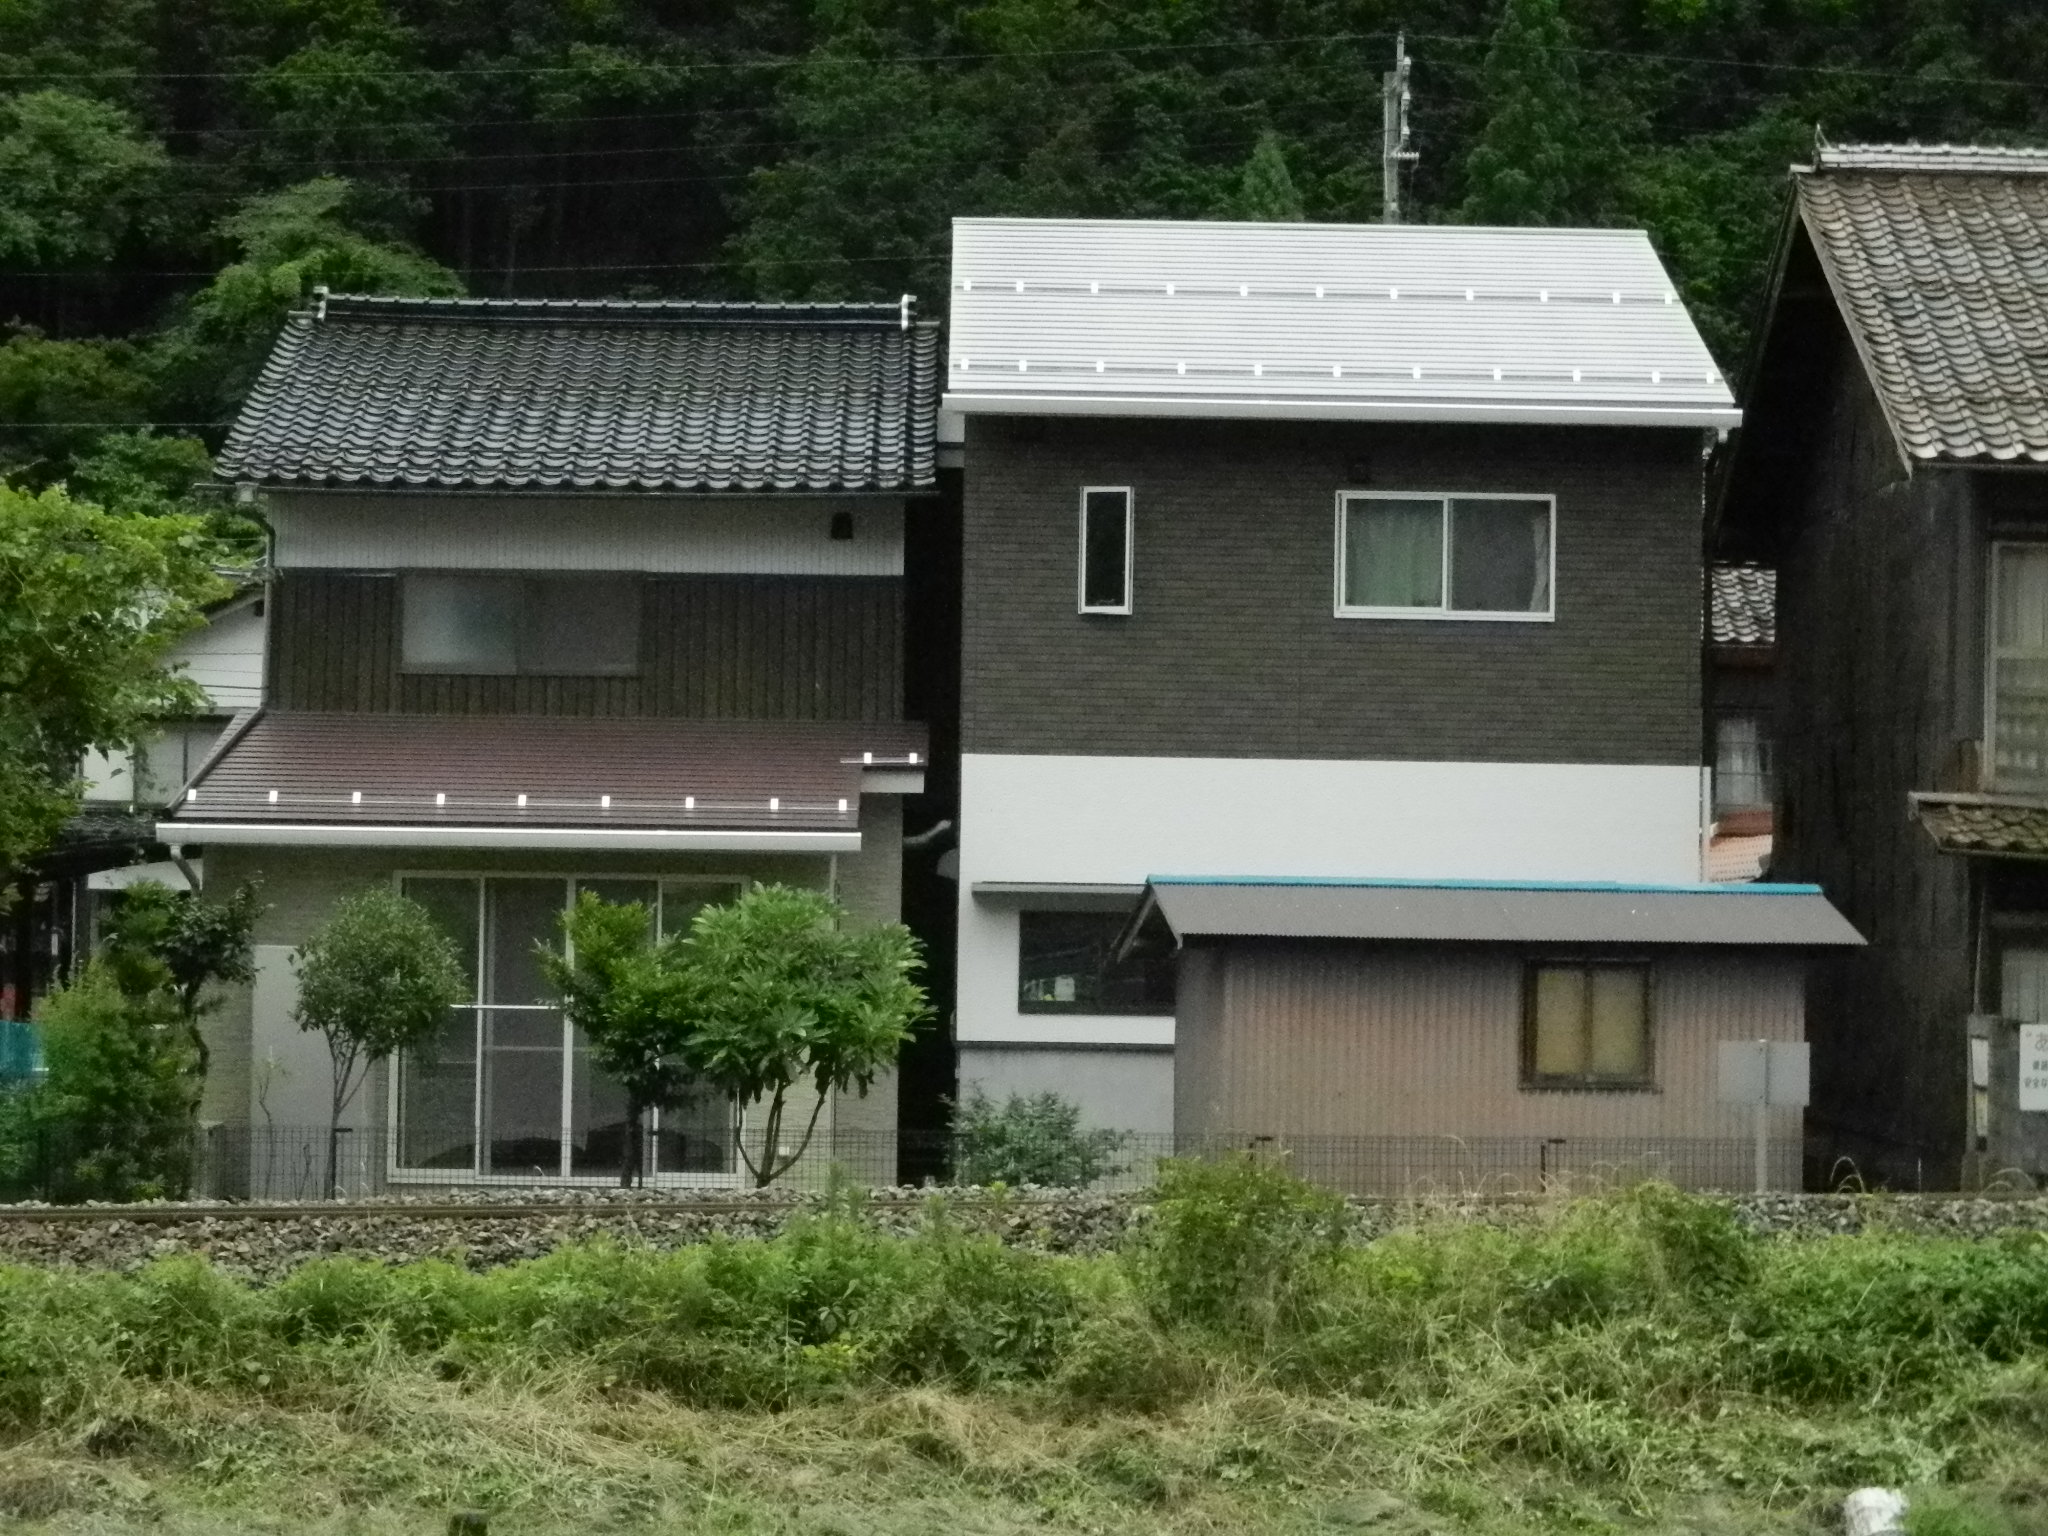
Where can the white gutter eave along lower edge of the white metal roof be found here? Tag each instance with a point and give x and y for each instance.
(1349, 411)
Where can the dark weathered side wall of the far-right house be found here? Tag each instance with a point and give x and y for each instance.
(1881, 681)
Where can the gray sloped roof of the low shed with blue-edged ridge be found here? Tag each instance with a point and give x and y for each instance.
(1502, 912)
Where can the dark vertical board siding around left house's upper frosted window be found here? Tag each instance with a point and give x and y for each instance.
(712, 648)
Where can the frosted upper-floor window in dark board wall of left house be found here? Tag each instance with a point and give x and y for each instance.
(538, 626)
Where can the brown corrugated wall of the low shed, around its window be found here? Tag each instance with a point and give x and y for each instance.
(1359, 1041)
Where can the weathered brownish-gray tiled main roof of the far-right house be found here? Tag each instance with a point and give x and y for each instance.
(1938, 259)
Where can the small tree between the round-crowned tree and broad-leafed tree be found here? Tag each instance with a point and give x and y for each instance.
(634, 998)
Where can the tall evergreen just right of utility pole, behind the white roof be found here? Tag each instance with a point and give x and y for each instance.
(1523, 167)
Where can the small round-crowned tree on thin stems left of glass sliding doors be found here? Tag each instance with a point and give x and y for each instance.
(376, 980)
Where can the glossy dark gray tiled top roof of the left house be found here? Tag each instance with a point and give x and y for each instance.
(595, 394)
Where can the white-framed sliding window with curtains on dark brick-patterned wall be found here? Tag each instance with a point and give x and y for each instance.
(1488, 556)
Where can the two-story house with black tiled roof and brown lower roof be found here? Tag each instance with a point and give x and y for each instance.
(562, 597)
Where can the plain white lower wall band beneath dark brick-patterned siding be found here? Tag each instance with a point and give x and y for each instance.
(1121, 820)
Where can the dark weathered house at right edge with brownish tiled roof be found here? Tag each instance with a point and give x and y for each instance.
(1895, 468)
